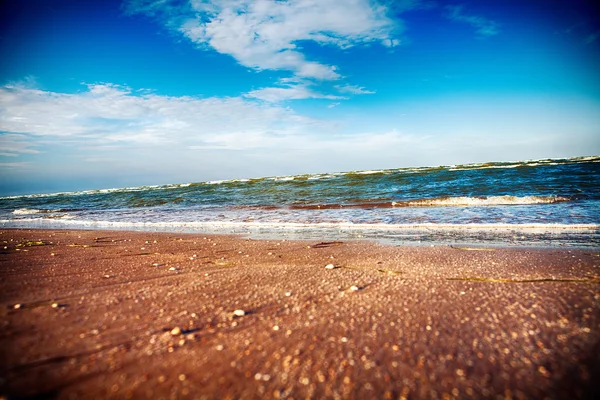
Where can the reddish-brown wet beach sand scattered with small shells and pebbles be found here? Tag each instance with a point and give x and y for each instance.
(100, 314)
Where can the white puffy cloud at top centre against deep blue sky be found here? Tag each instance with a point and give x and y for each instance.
(264, 34)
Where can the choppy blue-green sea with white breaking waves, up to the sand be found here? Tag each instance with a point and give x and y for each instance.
(539, 203)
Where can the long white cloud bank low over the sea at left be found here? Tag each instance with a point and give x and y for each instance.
(108, 114)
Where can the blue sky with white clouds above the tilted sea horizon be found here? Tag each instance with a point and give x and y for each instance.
(106, 94)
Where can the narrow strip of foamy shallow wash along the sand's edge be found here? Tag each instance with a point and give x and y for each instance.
(582, 236)
